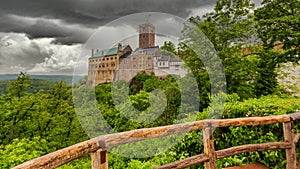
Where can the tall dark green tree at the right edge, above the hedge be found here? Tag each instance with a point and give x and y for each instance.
(278, 29)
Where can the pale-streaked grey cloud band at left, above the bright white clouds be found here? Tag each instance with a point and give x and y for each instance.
(44, 27)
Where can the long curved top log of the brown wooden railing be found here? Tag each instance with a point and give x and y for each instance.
(73, 152)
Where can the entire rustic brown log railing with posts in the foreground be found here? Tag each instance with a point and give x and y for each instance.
(97, 147)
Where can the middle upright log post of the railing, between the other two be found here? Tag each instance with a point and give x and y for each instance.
(209, 148)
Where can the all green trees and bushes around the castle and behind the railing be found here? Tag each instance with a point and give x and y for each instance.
(39, 119)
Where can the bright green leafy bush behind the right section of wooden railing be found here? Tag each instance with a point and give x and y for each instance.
(234, 136)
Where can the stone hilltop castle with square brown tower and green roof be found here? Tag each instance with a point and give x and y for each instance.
(122, 63)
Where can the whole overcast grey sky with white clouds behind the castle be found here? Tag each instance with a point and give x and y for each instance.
(46, 36)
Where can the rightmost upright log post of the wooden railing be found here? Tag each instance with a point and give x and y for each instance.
(290, 153)
